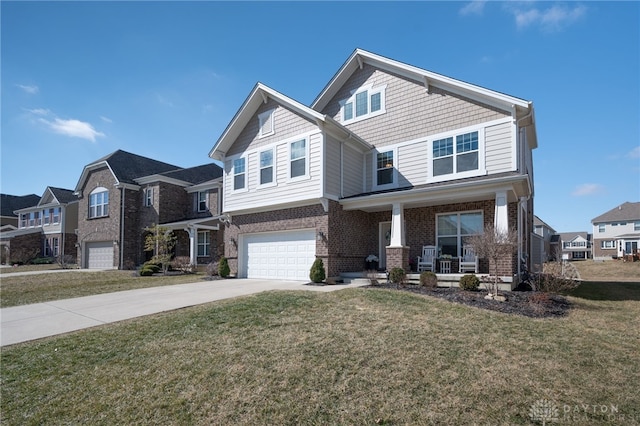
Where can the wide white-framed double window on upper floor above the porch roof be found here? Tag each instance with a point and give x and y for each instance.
(460, 157)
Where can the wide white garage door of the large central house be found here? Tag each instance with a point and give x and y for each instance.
(279, 255)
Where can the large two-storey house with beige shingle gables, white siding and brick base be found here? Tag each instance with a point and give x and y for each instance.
(388, 158)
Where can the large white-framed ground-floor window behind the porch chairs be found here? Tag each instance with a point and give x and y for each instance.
(453, 229)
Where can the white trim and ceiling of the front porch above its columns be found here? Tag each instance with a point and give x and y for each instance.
(430, 195)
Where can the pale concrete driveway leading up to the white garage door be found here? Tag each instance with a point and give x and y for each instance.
(30, 322)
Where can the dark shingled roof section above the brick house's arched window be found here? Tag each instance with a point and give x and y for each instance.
(127, 166)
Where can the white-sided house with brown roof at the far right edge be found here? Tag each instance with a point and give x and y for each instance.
(616, 233)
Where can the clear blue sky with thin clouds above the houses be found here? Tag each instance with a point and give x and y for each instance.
(163, 80)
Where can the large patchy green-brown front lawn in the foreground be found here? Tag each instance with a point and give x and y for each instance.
(356, 356)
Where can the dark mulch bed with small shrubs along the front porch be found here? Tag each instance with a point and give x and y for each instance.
(526, 303)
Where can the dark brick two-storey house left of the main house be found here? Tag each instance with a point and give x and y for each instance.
(123, 194)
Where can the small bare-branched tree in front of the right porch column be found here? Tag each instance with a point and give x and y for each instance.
(494, 244)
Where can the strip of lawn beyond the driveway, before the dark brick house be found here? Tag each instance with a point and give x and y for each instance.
(27, 289)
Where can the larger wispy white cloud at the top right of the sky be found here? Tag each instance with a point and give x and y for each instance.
(553, 18)
